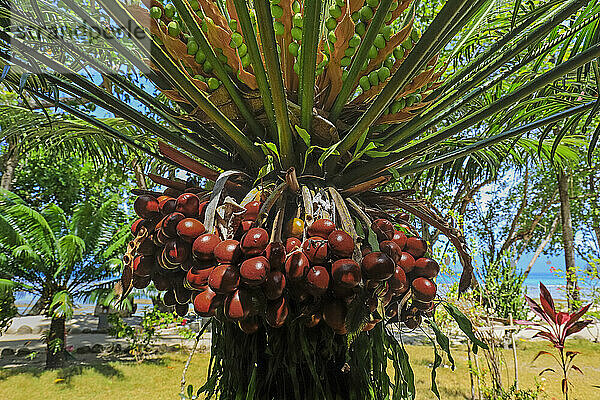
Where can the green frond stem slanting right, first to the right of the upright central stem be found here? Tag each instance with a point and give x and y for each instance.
(359, 59)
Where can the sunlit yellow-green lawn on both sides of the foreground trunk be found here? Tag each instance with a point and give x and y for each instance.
(159, 379)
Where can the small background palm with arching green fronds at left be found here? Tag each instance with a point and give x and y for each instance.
(59, 258)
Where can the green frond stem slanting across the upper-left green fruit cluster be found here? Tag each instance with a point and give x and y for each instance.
(189, 18)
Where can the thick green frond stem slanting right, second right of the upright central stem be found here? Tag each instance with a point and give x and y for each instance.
(432, 37)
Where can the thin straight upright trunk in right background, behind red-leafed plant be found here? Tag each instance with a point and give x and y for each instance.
(568, 239)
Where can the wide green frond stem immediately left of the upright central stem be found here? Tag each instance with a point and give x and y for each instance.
(272, 64)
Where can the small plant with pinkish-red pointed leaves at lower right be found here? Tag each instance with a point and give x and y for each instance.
(556, 327)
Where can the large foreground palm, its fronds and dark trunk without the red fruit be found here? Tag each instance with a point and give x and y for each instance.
(332, 100)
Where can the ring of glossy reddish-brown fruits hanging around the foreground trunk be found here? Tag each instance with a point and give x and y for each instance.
(312, 274)
